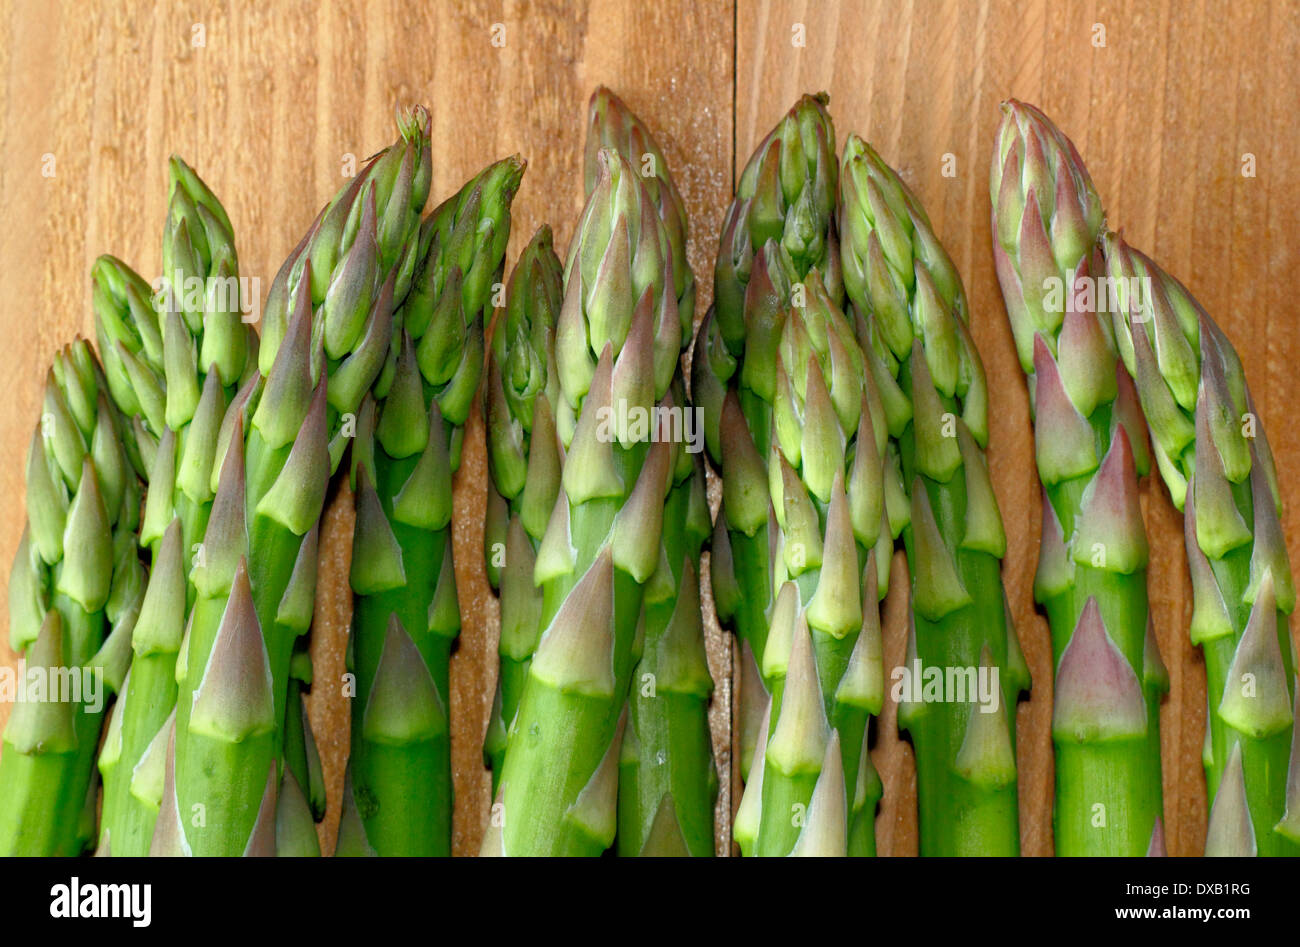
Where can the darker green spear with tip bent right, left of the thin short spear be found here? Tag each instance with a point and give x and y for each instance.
(406, 615)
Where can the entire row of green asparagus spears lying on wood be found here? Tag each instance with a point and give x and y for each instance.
(846, 407)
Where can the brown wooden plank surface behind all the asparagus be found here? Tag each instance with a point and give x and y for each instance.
(1164, 100)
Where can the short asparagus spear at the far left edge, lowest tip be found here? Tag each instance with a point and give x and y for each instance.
(75, 594)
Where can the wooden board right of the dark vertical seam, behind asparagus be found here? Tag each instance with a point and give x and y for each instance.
(1164, 114)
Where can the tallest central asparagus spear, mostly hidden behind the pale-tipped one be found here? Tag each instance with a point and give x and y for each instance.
(668, 781)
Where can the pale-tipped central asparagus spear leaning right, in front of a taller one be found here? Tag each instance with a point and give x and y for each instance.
(617, 347)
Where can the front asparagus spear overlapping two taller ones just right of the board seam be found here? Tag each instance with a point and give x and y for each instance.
(813, 789)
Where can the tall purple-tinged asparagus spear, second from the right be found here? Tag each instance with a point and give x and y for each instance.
(1091, 448)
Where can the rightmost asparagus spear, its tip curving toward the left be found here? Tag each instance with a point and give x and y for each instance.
(1217, 465)
